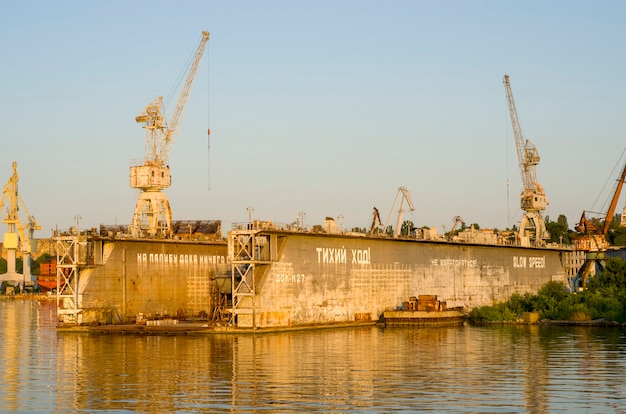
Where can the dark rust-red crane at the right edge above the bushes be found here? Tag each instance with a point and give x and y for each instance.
(593, 239)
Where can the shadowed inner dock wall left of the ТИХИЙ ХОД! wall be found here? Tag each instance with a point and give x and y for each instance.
(155, 278)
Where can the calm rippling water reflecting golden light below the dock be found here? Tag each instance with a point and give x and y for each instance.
(452, 369)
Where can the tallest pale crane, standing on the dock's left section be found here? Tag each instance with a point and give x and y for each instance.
(153, 215)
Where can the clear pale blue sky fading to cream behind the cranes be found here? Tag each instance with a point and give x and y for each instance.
(325, 107)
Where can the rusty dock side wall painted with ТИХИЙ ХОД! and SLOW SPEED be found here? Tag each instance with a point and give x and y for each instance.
(321, 279)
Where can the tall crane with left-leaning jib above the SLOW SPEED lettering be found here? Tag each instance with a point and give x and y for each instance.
(532, 230)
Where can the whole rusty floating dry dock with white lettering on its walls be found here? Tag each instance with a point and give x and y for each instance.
(268, 276)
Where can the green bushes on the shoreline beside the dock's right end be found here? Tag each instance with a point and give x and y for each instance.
(602, 302)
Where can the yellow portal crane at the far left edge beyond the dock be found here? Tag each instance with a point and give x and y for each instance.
(16, 237)
